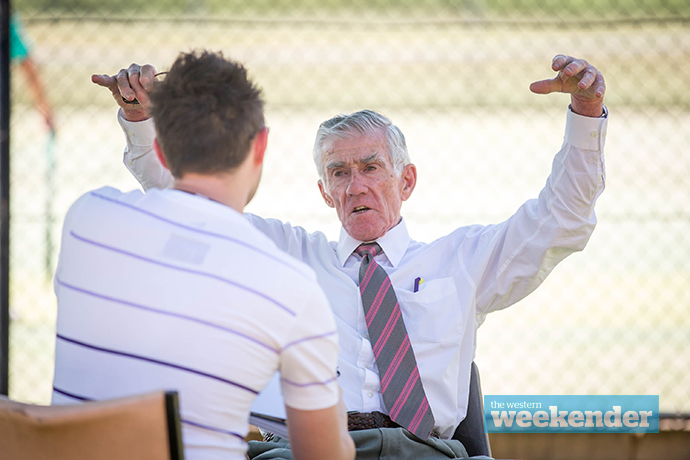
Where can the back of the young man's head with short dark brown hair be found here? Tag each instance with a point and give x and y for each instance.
(206, 112)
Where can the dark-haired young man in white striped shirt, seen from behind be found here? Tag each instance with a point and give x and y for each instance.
(176, 290)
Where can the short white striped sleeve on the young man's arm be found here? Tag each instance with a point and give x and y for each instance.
(309, 358)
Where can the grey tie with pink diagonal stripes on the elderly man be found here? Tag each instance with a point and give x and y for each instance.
(401, 385)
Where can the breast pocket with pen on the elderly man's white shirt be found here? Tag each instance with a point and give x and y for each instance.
(432, 314)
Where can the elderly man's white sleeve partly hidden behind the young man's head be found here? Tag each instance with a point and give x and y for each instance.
(139, 156)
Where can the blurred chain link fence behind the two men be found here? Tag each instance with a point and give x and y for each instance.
(454, 75)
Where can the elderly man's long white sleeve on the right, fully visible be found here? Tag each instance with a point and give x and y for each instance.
(515, 256)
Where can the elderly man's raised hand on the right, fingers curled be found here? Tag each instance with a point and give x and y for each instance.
(581, 80)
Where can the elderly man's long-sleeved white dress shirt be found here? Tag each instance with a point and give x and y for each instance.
(467, 274)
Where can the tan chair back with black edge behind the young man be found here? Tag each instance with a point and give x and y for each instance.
(142, 427)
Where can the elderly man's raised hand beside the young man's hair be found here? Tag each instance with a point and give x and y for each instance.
(135, 82)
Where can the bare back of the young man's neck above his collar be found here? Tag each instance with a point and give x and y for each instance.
(223, 187)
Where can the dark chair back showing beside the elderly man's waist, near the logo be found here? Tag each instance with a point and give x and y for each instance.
(471, 430)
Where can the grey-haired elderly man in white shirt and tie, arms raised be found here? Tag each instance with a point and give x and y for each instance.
(407, 345)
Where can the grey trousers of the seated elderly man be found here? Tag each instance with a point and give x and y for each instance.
(379, 443)
